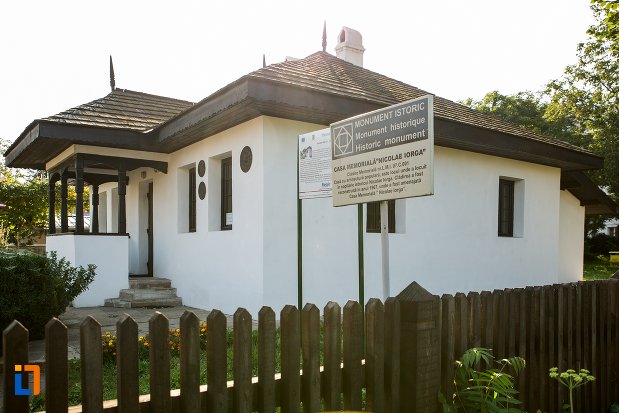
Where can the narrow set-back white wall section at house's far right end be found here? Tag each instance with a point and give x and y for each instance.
(571, 235)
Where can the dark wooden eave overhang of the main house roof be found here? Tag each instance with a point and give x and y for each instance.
(249, 98)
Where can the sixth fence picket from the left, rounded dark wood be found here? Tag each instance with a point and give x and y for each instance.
(190, 362)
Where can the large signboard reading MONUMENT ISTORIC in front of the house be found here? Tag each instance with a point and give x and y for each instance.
(385, 154)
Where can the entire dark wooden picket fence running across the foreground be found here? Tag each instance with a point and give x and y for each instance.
(398, 362)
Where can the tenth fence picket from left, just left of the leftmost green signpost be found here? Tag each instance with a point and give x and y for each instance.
(290, 354)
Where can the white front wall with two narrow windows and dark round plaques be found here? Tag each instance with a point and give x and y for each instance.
(212, 268)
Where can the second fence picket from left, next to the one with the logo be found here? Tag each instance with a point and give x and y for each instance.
(56, 367)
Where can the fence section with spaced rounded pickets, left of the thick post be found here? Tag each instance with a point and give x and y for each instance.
(331, 387)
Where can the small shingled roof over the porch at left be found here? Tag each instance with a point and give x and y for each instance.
(123, 109)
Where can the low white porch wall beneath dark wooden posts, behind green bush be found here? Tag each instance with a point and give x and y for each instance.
(108, 252)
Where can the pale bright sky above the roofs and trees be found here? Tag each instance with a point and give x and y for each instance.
(54, 55)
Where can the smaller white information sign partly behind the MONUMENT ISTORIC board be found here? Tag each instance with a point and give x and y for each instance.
(315, 164)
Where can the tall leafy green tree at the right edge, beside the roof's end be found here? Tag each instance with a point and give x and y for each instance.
(586, 98)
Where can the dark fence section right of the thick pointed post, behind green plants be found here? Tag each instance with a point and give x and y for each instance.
(569, 326)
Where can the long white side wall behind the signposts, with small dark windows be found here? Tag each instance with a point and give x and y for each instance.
(448, 242)
